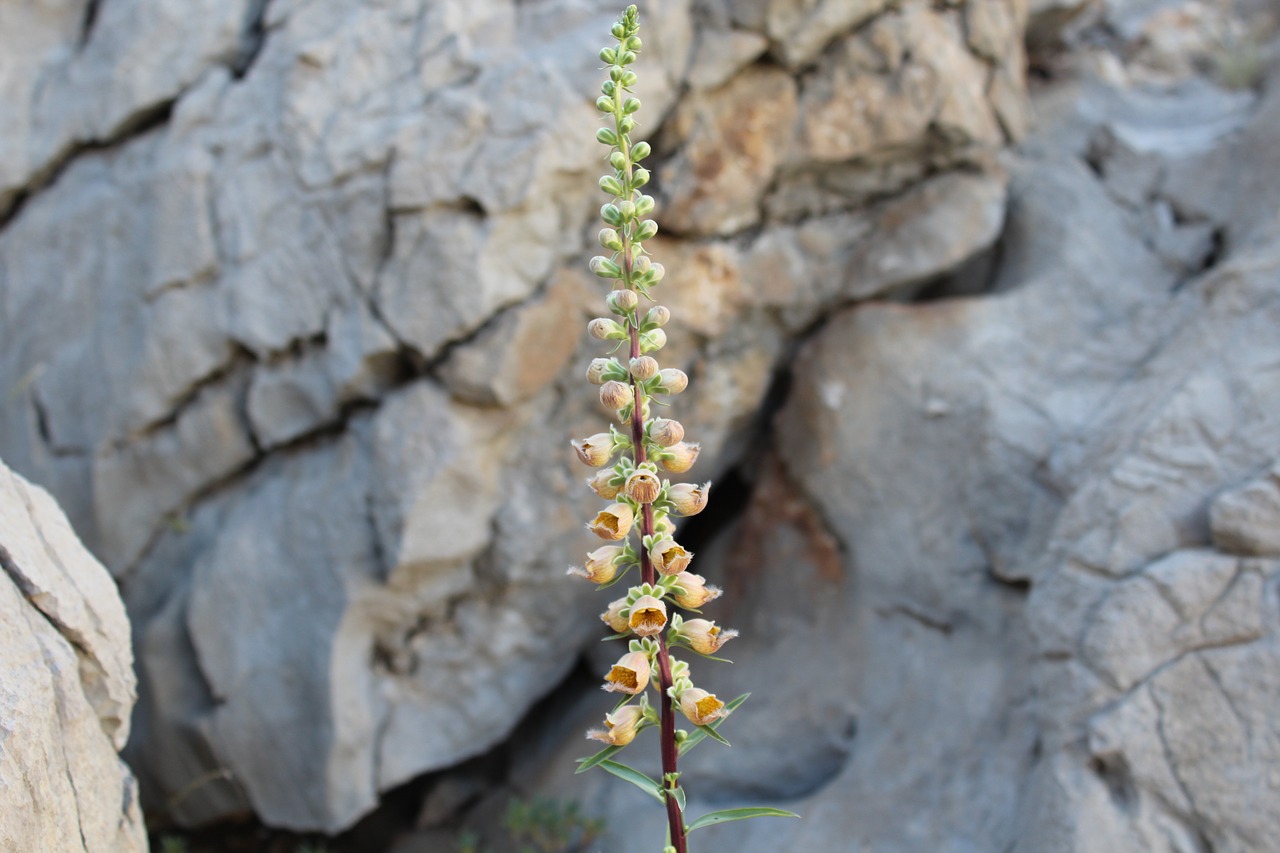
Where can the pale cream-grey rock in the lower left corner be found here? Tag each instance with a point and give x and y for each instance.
(67, 687)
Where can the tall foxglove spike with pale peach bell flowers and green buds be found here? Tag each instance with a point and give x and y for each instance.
(638, 521)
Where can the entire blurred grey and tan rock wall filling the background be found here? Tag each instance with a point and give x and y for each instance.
(979, 300)
